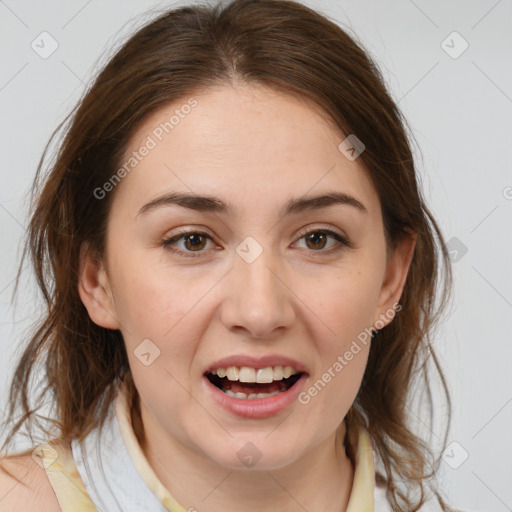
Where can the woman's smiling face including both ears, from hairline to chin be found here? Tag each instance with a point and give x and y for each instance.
(262, 280)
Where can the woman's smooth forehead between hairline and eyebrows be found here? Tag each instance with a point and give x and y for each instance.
(247, 144)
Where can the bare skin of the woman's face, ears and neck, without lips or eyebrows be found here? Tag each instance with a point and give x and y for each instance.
(255, 148)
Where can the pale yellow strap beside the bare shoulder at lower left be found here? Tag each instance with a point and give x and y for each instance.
(57, 459)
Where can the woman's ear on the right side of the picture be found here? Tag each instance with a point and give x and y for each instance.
(394, 280)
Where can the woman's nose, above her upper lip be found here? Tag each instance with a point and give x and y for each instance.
(257, 298)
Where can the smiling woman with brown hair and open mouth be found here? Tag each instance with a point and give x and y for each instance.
(241, 277)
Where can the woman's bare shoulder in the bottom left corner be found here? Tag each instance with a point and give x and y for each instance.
(16, 497)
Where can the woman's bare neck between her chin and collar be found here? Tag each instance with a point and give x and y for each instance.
(319, 481)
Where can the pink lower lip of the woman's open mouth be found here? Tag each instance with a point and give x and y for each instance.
(259, 407)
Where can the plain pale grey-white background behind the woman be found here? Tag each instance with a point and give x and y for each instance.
(460, 112)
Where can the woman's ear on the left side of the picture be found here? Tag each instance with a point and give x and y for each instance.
(94, 289)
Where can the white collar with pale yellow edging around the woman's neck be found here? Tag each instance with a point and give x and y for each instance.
(116, 475)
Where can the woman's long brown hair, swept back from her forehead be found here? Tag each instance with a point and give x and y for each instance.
(279, 44)
